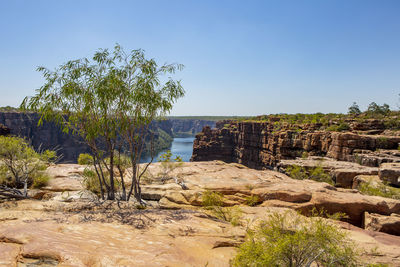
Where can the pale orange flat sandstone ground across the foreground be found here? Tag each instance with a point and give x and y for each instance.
(62, 225)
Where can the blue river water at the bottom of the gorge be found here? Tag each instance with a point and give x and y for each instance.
(182, 147)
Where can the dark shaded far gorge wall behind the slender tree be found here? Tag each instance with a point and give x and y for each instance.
(49, 136)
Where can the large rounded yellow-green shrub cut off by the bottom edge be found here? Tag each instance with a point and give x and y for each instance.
(290, 239)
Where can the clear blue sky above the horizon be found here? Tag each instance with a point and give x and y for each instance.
(240, 57)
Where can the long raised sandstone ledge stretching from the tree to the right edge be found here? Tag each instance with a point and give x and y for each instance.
(273, 189)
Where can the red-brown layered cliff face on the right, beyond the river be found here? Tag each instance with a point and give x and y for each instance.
(257, 145)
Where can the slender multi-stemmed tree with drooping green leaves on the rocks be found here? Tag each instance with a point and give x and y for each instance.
(110, 101)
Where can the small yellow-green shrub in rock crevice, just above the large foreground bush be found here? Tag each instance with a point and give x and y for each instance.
(214, 201)
